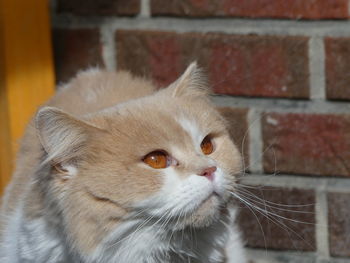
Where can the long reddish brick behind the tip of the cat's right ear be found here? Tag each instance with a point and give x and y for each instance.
(267, 66)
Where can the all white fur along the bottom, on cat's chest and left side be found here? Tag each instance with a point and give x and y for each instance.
(32, 241)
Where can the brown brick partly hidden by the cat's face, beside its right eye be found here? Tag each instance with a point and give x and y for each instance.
(237, 125)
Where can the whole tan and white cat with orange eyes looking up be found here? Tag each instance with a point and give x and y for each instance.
(113, 170)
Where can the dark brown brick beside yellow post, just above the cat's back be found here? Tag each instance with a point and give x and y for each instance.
(74, 50)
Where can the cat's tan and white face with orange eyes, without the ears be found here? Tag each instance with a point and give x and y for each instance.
(172, 157)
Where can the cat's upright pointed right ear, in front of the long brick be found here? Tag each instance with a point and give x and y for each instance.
(191, 83)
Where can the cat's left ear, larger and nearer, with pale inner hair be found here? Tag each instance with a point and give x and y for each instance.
(62, 136)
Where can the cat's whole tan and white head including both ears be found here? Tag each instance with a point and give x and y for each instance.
(167, 156)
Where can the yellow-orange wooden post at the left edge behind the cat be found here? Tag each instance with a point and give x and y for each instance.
(28, 67)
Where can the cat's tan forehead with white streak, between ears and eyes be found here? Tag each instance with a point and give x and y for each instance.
(162, 124)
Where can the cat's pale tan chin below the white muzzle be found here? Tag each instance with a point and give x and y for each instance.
(206, 213)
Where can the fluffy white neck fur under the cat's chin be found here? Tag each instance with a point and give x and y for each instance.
(153, 241)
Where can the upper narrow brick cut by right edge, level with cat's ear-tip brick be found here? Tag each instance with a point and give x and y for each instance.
(337, 68)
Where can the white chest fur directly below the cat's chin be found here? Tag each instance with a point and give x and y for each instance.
(153, 244)
